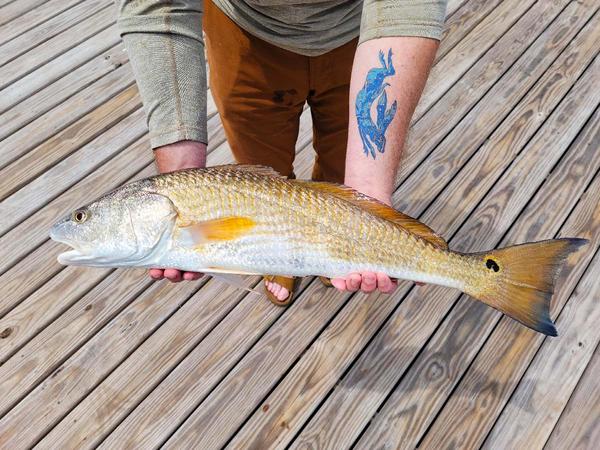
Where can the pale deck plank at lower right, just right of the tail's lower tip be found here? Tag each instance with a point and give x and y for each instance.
(540, 397)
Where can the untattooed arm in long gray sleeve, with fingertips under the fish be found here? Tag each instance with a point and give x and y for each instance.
(166, 50)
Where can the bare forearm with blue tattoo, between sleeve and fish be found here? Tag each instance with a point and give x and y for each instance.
(388, 77)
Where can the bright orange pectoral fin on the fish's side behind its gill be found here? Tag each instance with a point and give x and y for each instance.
(223, 229)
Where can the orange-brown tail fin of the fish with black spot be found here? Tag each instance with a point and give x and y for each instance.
(519, 280)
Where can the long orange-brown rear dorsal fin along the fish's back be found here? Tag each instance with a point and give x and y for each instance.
(379, 209)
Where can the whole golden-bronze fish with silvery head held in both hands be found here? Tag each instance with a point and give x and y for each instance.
(249, 220)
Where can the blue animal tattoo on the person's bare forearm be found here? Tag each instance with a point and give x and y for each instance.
(372, 133)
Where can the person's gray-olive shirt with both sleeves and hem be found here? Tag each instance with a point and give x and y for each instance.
(164, 42)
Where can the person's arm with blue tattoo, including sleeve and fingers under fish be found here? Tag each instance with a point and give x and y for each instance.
(397, 47)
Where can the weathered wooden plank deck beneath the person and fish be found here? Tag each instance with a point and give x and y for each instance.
(503, 149)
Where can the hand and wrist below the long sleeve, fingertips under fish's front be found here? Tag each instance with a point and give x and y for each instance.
(176, 156)
